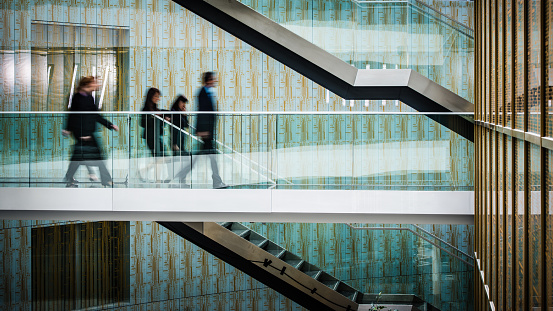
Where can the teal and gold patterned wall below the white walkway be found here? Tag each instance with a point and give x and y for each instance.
(59, 265)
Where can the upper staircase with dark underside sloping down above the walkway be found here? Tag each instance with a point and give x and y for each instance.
(331, 72)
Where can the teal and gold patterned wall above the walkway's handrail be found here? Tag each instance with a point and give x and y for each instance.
(166, 46)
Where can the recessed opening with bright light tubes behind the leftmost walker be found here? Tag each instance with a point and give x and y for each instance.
(62, 53)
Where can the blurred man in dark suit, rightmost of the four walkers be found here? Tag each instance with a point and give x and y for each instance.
(205, 128)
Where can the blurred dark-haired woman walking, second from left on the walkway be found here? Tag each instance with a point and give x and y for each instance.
(153, 131)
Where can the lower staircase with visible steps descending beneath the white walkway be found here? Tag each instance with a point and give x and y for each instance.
(282, 270)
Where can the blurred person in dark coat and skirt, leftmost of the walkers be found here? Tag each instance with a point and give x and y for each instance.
(86, 149)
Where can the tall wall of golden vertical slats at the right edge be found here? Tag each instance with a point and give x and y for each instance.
(513, 150)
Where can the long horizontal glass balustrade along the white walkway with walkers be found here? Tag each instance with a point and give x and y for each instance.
(396, 151)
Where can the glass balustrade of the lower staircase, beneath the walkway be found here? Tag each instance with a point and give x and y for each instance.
(383, 259)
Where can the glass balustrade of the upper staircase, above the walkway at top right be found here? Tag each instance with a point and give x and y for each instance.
(402, 34)
